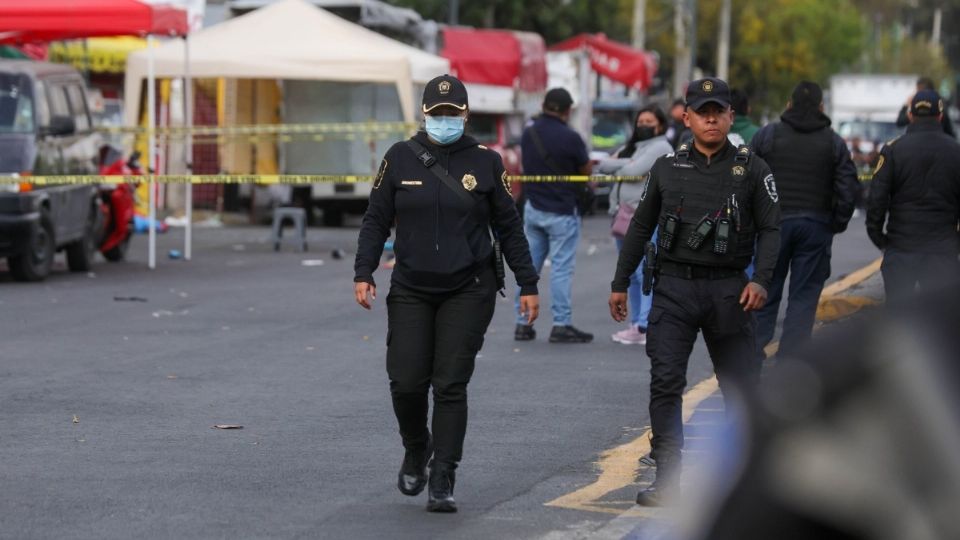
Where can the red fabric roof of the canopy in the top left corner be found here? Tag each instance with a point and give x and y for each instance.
(31, 21)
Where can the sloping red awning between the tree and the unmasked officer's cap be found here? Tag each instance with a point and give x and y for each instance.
(616, 61)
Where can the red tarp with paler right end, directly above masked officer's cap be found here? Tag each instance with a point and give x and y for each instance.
(496, 57)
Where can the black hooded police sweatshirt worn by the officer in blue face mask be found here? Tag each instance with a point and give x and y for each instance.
(441, 242)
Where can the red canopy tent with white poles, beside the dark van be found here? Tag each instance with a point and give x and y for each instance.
(33, 21)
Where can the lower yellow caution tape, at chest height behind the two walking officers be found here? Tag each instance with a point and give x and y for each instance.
(266, 179)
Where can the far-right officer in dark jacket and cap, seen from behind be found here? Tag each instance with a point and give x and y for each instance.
(915, 193)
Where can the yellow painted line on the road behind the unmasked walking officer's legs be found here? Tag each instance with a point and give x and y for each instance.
(619, 466)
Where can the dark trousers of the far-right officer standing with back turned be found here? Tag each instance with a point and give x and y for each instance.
(904, 271)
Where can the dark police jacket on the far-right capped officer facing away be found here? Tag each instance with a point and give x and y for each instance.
(915, 192)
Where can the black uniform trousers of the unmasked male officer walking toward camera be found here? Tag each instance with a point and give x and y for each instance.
(681, 308)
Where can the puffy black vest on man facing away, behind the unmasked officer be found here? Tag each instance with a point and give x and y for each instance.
(803, 164)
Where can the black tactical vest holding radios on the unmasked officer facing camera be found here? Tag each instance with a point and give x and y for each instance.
(706, 191)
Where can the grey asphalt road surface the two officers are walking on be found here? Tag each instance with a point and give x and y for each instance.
(110, 384)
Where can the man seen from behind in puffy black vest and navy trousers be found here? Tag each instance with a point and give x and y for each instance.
(818, 187)
